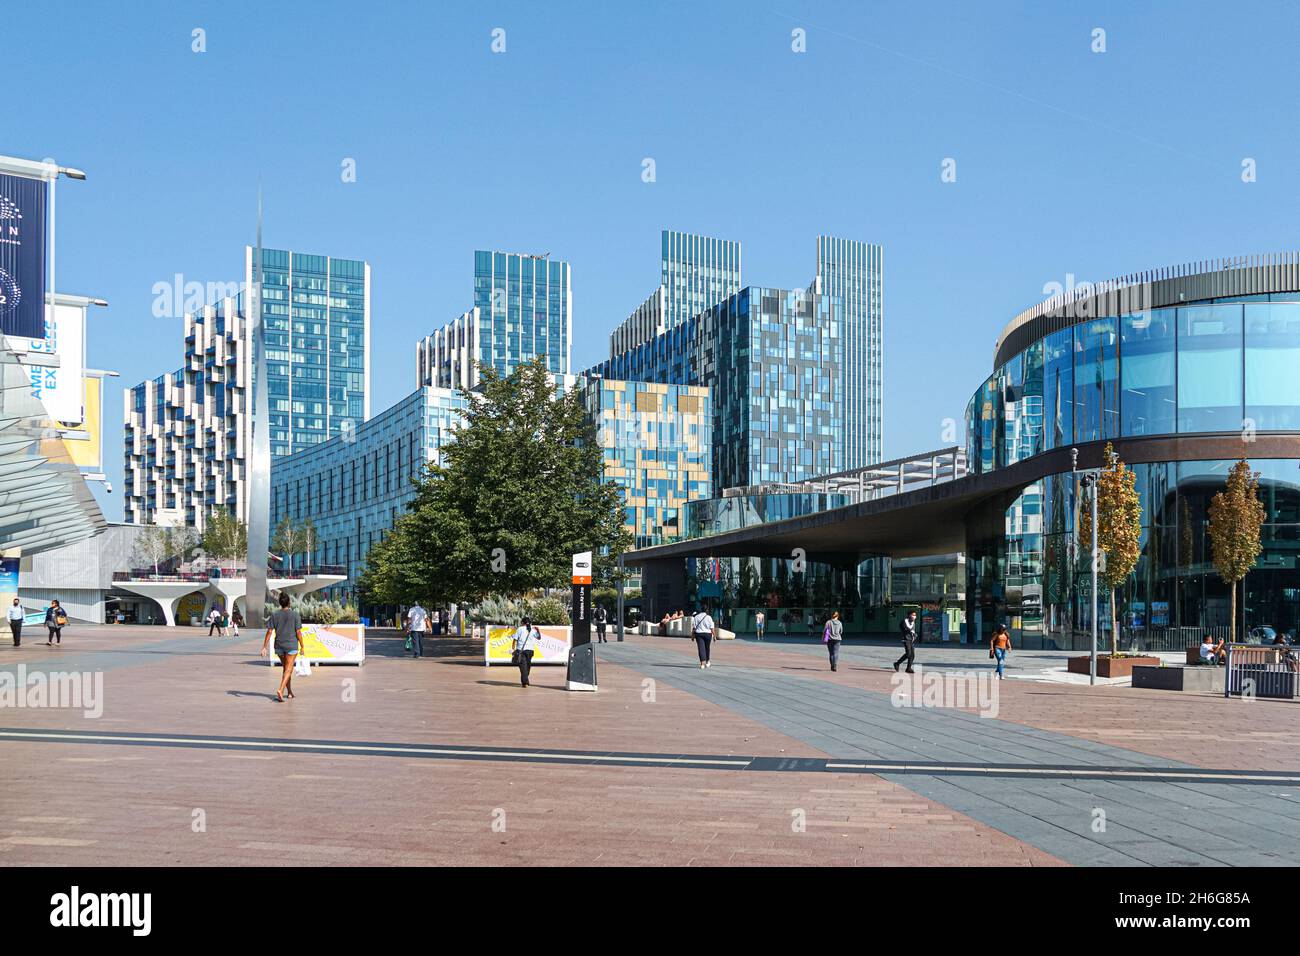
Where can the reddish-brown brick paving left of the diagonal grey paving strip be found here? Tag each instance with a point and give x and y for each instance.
(92, 804)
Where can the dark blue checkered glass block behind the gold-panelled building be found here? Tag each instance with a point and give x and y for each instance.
(774, 364)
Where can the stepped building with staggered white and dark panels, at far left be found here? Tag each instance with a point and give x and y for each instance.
(188, 431)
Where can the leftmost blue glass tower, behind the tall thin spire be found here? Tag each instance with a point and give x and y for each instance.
(317, 314)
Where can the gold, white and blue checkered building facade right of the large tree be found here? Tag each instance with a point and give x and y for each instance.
(657, 443)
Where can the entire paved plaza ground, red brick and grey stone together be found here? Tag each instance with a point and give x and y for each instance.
(766, 758)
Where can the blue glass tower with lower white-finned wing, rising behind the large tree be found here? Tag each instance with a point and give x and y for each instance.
(523, 309)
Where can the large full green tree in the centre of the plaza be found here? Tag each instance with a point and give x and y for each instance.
(518, 492)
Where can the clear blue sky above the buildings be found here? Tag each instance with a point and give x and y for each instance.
(1068, 162)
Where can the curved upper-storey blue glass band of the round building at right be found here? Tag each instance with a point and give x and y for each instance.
(1206, 367)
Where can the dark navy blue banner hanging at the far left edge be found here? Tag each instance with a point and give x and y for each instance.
(23, 257)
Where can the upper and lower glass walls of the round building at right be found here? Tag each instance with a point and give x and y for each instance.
(1212, 367)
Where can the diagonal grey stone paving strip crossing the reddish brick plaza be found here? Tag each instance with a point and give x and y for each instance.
(1055, 816)
